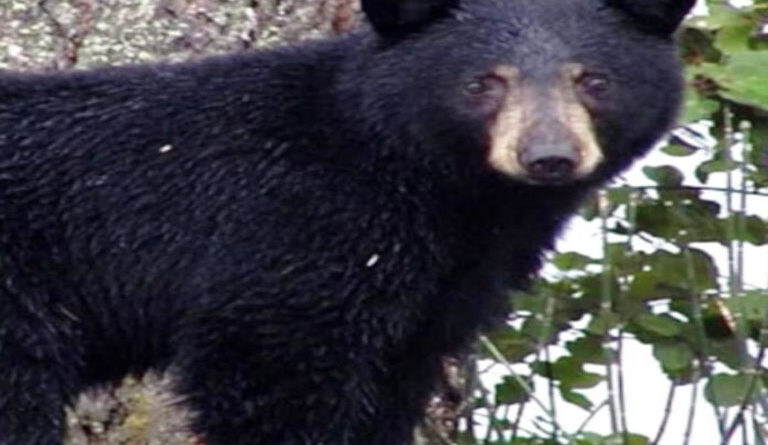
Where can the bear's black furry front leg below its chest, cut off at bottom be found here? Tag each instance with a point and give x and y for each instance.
(269, 376)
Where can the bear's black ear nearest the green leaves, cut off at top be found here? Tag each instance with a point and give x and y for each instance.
(659, 16)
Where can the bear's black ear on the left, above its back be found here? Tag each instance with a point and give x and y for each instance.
(390, 17)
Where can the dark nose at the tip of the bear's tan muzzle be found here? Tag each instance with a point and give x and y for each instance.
(552, 164)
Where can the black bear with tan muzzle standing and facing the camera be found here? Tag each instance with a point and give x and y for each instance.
(301, 234)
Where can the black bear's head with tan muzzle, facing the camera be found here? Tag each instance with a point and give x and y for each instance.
(545, 92)
